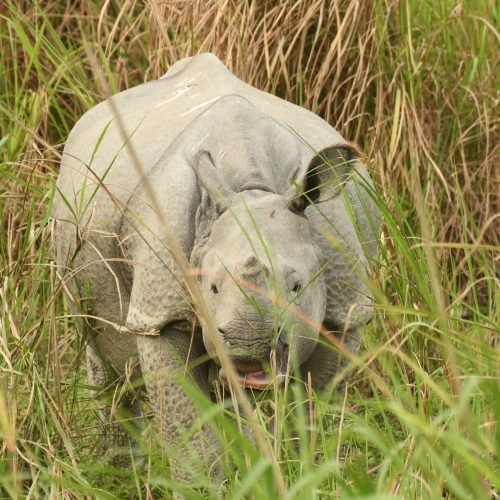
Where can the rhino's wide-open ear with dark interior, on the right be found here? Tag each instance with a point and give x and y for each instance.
(326, 173)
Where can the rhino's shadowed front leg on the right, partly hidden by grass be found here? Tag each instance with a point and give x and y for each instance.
(326, 361)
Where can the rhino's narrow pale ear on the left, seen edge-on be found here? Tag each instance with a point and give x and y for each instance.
(217, 188)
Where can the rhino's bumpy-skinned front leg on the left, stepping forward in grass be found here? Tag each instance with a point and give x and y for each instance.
(164, 359)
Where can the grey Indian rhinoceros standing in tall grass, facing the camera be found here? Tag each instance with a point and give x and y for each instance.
(270, 205)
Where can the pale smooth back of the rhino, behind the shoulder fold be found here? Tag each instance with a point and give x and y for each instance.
(154, 114)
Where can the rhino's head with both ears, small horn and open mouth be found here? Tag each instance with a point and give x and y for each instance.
(261, 270)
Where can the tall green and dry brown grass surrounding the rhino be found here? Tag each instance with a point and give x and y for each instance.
(415, 84)
